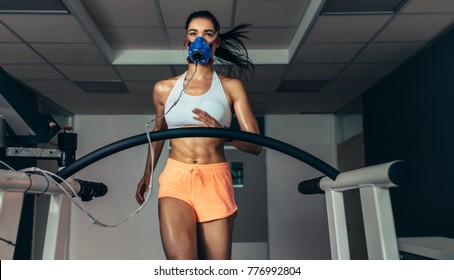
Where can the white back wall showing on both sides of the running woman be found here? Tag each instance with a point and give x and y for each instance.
(297, 224)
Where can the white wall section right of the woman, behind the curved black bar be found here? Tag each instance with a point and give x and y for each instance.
(298, 227)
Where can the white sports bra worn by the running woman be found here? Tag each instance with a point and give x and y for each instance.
(214, 102)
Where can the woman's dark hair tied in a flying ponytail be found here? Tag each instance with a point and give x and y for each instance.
(232, 52)
